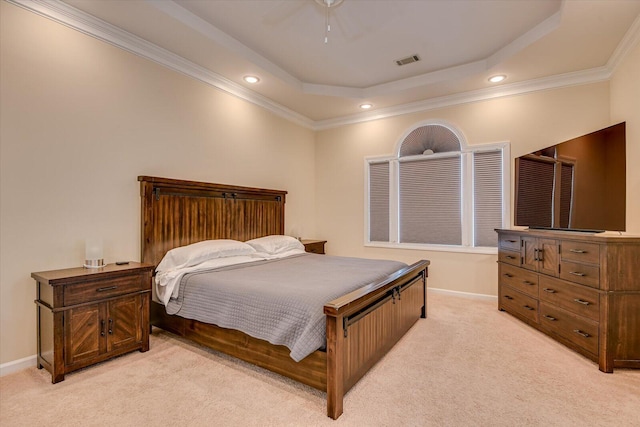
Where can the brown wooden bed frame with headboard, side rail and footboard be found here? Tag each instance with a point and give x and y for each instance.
(362, 326)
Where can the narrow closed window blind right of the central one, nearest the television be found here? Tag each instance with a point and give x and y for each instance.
(487, 197)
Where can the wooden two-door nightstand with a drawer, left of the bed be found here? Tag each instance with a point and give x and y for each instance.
(86, 315)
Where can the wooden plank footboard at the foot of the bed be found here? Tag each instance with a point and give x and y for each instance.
(364, 325)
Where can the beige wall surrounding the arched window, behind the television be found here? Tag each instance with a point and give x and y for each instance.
(528, 122)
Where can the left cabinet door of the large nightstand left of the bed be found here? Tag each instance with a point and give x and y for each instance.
(82, 333)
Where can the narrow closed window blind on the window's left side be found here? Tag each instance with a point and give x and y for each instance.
(379, 202)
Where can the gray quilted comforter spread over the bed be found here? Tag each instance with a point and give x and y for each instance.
(280, 301)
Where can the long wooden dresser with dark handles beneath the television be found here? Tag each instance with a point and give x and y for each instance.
(581, 289)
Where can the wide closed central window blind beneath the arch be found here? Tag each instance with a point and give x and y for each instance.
(430, 200)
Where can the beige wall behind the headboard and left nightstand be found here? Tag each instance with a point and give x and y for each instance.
(80, 120)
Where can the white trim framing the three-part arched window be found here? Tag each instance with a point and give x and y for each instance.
(467, 198)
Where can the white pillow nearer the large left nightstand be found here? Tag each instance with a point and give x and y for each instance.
(196, 253)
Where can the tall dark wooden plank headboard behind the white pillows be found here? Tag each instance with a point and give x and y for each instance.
(177, 213)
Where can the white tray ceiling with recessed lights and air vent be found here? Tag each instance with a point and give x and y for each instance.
(460, 45)
